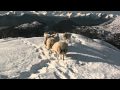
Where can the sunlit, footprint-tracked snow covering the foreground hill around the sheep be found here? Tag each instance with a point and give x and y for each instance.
(27, 58)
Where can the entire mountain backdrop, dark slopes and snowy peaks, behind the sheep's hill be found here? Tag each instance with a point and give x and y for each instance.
(92, 25)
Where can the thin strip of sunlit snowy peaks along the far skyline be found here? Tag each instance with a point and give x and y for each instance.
(60, 13)
